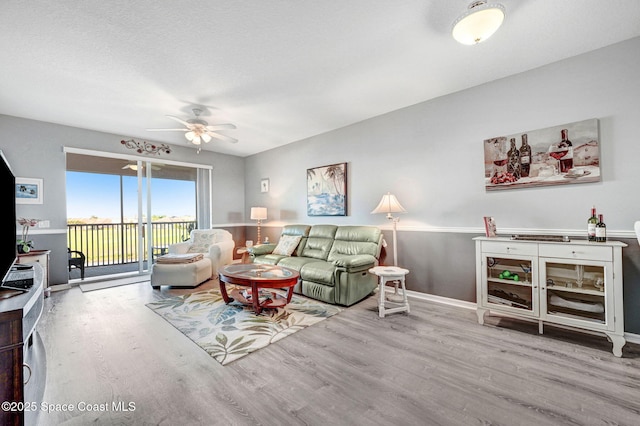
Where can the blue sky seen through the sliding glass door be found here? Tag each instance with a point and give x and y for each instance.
(91, 194)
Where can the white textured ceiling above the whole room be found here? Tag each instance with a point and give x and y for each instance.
(280, 70)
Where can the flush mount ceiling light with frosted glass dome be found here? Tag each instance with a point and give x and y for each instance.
(478, 22)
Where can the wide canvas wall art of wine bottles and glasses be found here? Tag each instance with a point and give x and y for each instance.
(559, 155)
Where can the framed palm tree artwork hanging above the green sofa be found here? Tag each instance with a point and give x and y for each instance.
(327, 190)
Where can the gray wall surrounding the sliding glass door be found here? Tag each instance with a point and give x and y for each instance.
(35, 150)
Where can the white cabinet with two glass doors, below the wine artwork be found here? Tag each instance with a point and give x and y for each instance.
(576, 284)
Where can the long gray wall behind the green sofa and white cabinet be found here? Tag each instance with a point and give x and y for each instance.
(430, 156)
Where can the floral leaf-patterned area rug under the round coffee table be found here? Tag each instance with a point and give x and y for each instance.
(229, 332)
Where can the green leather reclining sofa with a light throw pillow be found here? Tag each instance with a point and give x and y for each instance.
(333, 261)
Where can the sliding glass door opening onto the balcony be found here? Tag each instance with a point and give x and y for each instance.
(123, 213)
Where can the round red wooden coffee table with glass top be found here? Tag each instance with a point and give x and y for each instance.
(258, 279)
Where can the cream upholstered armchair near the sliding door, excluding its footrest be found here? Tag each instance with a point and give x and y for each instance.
(216, 244)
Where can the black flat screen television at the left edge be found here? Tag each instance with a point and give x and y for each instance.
(8, 247)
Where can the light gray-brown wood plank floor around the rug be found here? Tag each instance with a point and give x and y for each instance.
(435, 366)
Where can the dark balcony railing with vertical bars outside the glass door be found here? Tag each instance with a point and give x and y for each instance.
(106, 244)
